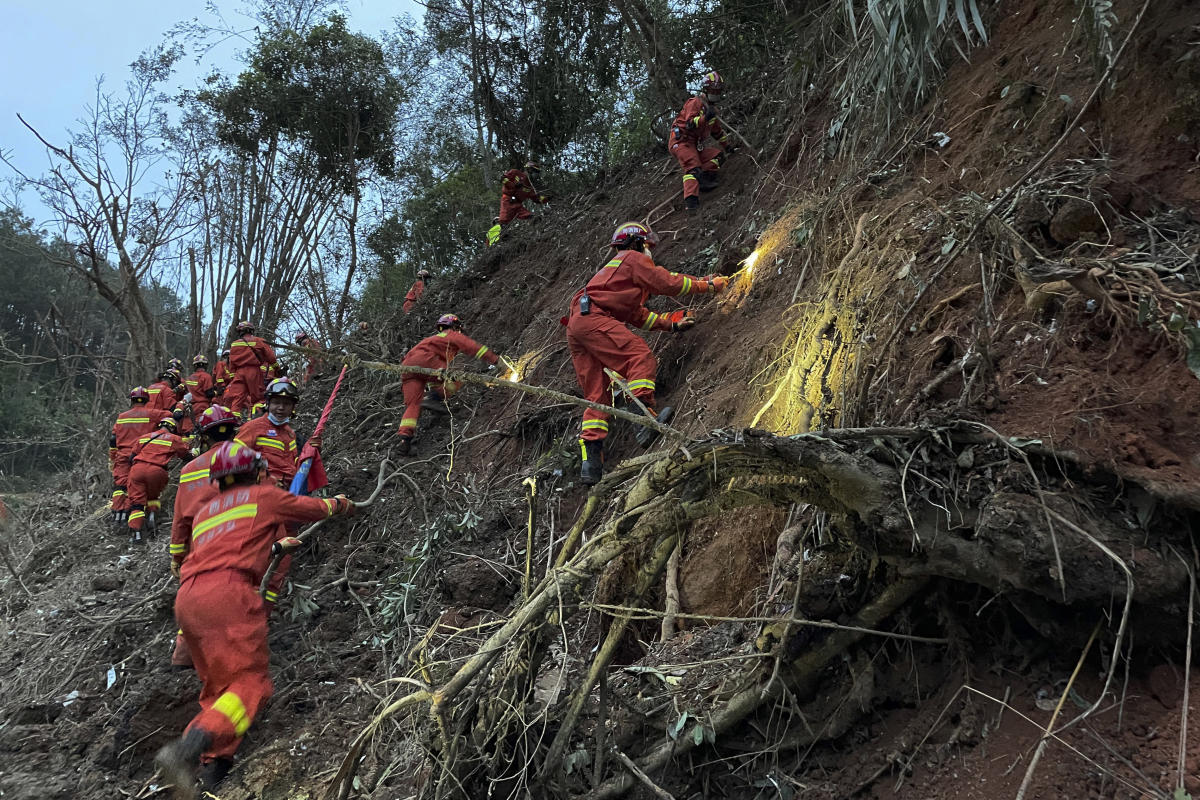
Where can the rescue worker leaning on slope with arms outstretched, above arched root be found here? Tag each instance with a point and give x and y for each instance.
(598, 338)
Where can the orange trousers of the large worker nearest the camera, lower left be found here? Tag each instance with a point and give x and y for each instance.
(225, 625)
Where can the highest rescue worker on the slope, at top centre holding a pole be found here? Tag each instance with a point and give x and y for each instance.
(697, 123)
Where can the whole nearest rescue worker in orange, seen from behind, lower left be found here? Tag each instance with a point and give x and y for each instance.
(223, 616)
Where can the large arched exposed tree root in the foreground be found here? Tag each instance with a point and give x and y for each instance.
(947, 521)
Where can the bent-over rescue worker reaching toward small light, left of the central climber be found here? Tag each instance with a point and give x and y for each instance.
(425, 392)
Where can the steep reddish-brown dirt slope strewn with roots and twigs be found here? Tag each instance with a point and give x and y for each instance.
(1051, 328)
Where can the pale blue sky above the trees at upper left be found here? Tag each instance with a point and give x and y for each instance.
(53, 51)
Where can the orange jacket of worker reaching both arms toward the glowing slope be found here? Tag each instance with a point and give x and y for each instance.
(622, 287)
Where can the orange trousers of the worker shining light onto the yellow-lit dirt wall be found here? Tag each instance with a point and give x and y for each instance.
(598, 341)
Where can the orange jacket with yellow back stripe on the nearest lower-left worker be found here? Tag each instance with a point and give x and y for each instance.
(236, 528)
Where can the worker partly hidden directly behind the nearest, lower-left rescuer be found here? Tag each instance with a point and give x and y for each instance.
(215, 425)
